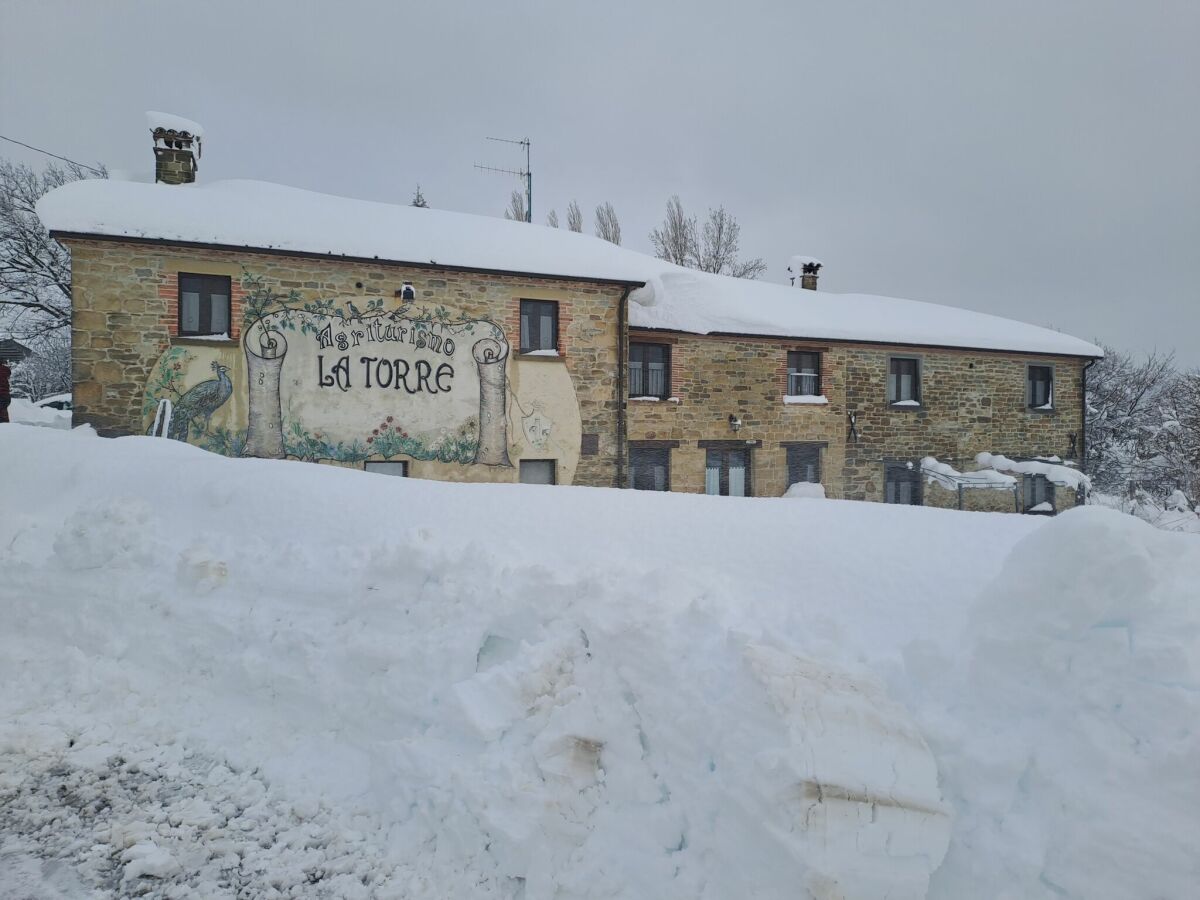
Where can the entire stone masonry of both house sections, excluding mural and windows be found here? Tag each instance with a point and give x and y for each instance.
(127, 316)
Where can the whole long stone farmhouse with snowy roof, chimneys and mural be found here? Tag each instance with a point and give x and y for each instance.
(255, 320)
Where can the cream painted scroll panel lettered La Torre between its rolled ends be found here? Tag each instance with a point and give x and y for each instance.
(379, 386)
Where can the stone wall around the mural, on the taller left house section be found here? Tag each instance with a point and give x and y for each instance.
(127, 317)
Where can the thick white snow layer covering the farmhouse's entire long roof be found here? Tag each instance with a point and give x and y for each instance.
(260, 215)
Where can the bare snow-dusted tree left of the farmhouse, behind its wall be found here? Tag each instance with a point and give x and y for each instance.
(35, 271)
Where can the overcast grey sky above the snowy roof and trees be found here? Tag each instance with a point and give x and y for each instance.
(1034, 159)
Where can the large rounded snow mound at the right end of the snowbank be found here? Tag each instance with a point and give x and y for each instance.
(1067, 731)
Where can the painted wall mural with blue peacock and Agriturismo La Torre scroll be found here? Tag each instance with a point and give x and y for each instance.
(329, 381)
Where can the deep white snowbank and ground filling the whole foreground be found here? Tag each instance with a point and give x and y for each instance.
(250, 679)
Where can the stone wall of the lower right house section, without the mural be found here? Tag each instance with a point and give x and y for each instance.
(971, 403)
